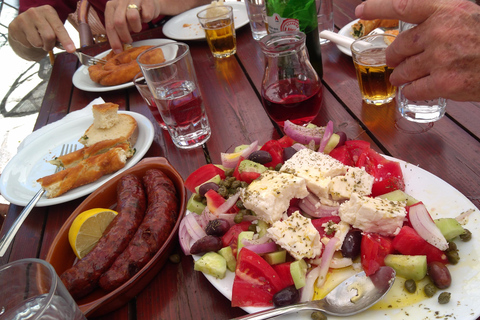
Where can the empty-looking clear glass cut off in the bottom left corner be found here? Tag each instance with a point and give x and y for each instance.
(31, 289)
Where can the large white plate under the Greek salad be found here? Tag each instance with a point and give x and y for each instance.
(442, 200)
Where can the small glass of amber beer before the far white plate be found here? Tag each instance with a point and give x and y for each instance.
(217, 21)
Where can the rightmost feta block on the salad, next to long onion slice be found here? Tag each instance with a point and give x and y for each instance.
(373, 214)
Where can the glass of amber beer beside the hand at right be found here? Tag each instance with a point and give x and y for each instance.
(373, 74)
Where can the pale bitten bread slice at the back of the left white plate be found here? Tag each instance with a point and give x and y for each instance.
(125, 127)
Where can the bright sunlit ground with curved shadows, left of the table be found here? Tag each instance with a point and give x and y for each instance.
(22, 87)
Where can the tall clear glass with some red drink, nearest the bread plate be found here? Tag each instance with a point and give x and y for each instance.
(174, 86)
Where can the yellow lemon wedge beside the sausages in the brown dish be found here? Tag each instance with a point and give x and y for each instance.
(87, 229)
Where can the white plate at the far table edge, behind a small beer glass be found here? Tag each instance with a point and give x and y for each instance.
(185, 26)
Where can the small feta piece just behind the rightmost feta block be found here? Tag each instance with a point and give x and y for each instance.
(355, 180)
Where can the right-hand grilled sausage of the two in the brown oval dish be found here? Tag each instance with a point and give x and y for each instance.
(160, 219)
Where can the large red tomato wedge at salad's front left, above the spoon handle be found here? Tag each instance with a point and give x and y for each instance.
(255, 281)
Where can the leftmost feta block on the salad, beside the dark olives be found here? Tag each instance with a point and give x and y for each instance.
(270, 194)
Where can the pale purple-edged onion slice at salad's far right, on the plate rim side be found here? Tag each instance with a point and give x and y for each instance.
(423, 223)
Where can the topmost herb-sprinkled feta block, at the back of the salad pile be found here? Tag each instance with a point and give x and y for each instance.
(316, 168)
